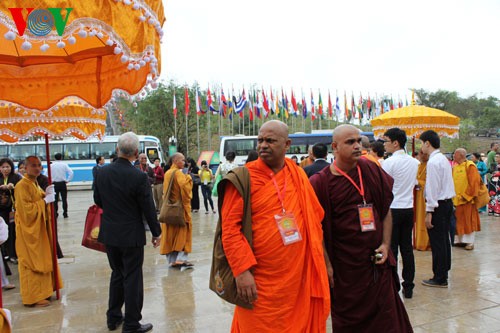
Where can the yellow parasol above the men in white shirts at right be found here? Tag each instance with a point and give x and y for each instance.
(415, 119)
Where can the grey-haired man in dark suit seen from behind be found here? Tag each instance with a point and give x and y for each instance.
(124, 194)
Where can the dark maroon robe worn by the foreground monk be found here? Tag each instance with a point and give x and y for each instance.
(365, 296)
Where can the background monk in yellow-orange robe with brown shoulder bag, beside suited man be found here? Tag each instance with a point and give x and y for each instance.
(177, 242)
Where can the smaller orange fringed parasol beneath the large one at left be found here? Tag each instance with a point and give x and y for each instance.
(71, 116)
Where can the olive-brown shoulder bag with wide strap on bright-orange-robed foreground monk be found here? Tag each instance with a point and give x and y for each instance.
(222, 280)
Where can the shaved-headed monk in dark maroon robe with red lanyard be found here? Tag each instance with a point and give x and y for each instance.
(356, 195)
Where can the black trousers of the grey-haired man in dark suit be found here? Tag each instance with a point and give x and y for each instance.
(126, 285)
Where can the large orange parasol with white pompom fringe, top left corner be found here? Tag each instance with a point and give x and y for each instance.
(103, 45)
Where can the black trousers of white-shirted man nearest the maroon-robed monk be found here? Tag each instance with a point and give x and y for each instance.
(402, 227)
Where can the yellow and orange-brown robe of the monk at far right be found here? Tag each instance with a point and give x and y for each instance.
(466, 180)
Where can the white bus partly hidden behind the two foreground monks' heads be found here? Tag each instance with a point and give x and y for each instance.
(301, 142)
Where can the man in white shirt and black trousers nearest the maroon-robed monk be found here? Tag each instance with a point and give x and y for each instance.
(403, 169)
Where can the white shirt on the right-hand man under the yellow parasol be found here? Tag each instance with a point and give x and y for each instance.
(439, 182)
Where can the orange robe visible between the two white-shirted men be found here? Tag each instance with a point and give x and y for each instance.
(421, 236)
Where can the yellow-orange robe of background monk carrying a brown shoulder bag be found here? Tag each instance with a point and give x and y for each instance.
(178, 238)
